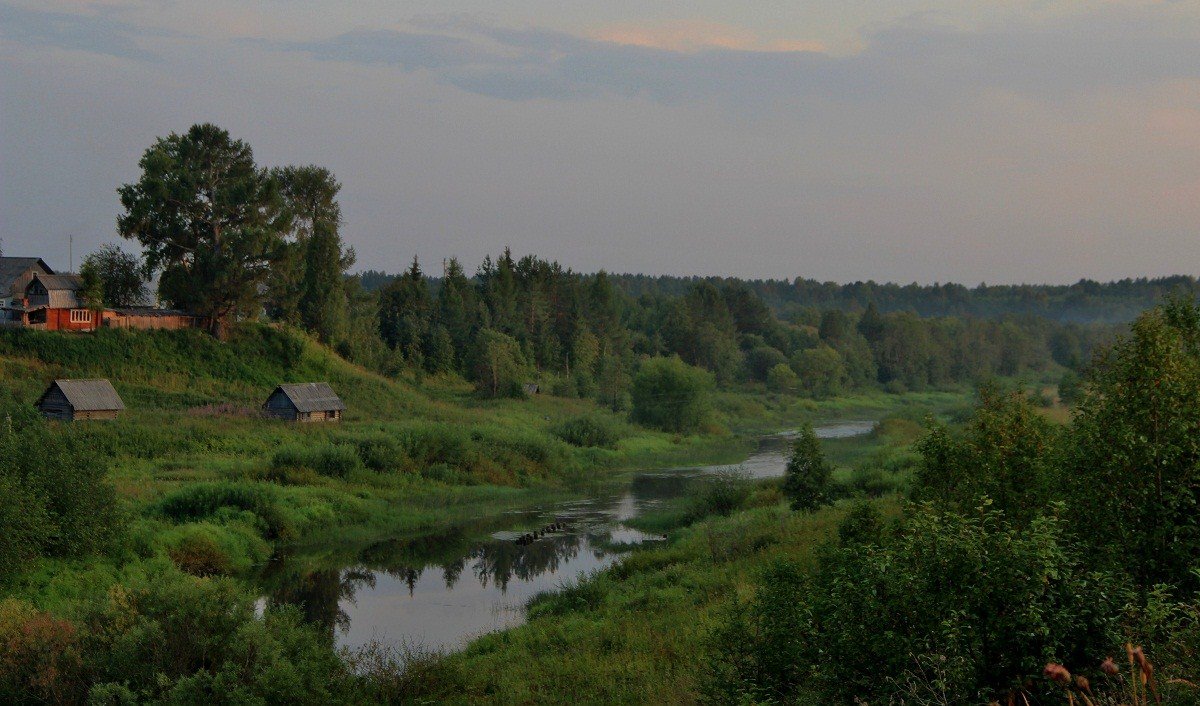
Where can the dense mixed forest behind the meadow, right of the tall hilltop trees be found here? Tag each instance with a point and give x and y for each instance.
(585, 334)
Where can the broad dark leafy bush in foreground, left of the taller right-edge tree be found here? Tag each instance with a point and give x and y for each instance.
(986, 601)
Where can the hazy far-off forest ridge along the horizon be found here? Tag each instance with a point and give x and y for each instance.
(1085, 302)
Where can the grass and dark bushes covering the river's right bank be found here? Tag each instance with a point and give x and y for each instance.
(1024, 561)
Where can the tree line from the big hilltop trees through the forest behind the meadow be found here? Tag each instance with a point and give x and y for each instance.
(230, 240)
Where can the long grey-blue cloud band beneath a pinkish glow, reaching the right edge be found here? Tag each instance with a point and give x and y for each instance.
(914, 62)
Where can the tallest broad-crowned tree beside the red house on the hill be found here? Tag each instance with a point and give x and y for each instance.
(209, 219)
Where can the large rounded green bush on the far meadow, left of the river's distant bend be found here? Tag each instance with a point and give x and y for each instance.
(671, 396)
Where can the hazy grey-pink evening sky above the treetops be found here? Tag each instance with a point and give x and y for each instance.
(922, 141)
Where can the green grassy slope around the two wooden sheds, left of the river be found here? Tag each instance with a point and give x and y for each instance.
(411, 456)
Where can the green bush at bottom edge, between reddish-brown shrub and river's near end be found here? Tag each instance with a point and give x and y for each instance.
(173, 638)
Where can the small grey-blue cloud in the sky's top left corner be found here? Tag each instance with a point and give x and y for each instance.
(97, 33)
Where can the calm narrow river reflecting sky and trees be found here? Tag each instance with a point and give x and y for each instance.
(441, 591)
